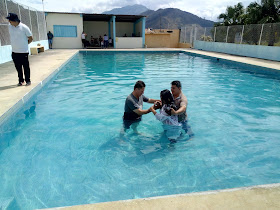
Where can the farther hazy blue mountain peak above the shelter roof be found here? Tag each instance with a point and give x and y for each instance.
(135, 9)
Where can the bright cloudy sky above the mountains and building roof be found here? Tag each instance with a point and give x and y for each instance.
(203, 8)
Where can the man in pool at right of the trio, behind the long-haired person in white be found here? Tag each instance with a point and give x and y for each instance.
(181, 102)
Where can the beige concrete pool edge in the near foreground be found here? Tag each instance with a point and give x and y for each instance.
(253, 197)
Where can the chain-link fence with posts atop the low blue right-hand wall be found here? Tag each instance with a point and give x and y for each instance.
(256, 34)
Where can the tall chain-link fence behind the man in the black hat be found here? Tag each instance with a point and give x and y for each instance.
(33, 18)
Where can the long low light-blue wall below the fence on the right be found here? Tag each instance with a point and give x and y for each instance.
(255, 51)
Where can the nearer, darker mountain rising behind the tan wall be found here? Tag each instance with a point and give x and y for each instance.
(171, 18)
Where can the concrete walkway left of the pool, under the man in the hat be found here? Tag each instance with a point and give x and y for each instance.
(41, 65)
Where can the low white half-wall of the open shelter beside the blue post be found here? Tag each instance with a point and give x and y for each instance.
(128, 42)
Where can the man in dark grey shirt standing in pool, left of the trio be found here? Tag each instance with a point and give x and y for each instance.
(133, 109)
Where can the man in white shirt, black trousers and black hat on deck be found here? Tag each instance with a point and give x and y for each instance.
(20, 36)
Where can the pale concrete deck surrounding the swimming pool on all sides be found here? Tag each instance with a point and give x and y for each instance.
(44, 64)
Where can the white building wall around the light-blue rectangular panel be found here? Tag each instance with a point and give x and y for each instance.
(65, 19)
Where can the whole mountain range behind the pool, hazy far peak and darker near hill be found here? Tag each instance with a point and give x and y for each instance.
(169, 18)
